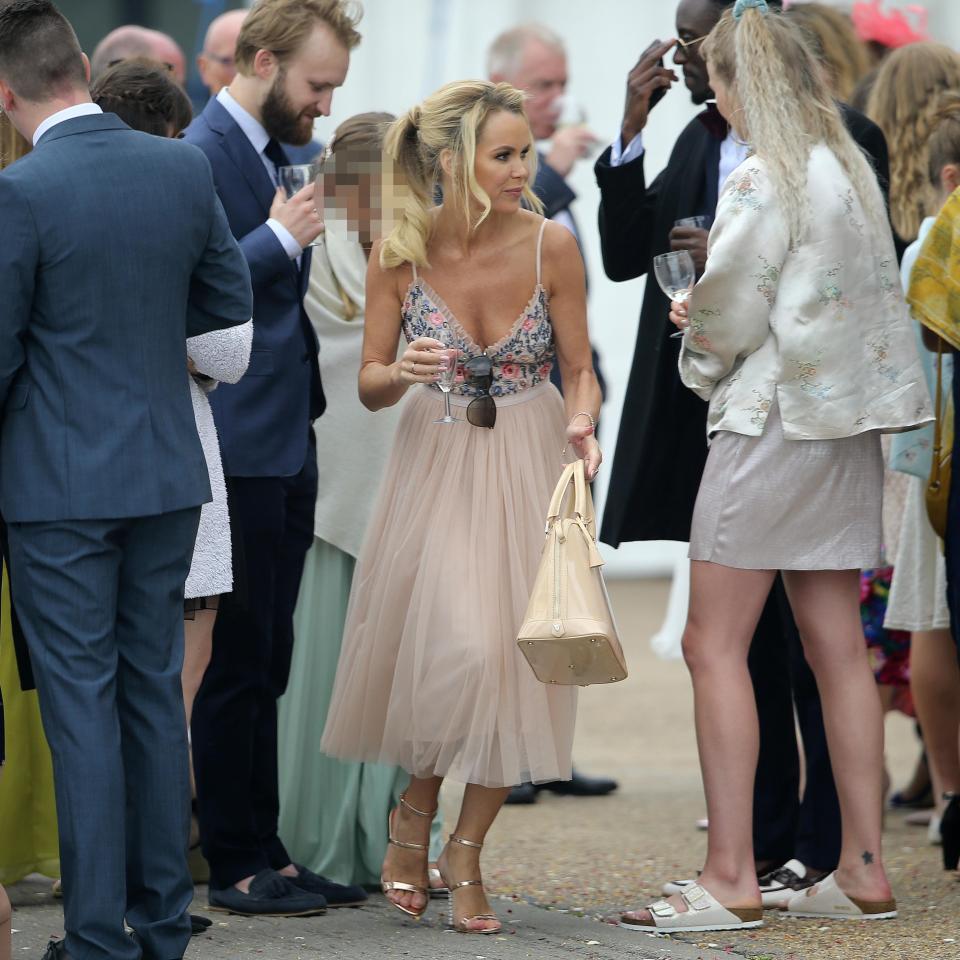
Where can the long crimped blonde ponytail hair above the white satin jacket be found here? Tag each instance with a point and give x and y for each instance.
(787, 109)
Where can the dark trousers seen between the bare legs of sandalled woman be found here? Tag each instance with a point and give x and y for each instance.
(784, 824)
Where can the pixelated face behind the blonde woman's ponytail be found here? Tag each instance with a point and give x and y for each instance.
(363, 194)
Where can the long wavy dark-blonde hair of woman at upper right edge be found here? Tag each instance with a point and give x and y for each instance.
(903, 103)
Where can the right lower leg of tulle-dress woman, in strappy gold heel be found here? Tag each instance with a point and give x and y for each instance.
(458, 862)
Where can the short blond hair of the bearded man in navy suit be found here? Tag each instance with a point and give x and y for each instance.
(281, 26)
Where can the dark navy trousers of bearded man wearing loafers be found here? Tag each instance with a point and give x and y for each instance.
(234, 723)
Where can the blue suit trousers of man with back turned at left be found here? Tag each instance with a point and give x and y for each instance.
(101, 602)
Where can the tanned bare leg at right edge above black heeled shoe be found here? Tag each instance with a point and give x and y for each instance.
(935, 683)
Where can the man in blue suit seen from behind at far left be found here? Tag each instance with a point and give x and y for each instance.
(116, 249)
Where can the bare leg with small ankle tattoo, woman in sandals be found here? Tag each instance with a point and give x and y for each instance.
(826, 606)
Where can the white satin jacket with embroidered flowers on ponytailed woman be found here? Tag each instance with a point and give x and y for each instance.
(823, 328)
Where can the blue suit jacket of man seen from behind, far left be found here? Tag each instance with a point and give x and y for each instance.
(115, 250)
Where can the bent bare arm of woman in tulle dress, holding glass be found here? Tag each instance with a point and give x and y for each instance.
(384, 379)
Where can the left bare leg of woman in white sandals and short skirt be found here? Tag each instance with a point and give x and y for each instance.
(725, 605)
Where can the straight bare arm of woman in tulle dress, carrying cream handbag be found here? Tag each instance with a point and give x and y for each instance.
(564, 279)
